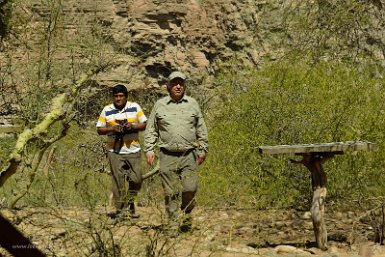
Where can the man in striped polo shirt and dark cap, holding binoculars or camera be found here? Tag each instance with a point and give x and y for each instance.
(121, 121)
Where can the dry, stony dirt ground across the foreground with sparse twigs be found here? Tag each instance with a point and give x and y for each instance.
(89, 232)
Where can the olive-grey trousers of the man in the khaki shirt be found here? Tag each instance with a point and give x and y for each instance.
(178, 172)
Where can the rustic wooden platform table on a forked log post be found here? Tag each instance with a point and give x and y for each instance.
(313, 156)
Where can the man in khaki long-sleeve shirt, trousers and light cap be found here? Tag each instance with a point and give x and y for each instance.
(176, 124)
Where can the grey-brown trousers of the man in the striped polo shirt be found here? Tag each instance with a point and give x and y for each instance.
(126, 179)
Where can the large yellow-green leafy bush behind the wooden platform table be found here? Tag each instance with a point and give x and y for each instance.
(293, 103)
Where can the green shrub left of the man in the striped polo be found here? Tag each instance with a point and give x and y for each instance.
(76, 175)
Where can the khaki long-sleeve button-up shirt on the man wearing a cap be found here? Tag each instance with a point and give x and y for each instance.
(176, 126)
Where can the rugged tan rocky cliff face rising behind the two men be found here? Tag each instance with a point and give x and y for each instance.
(149, 38)
